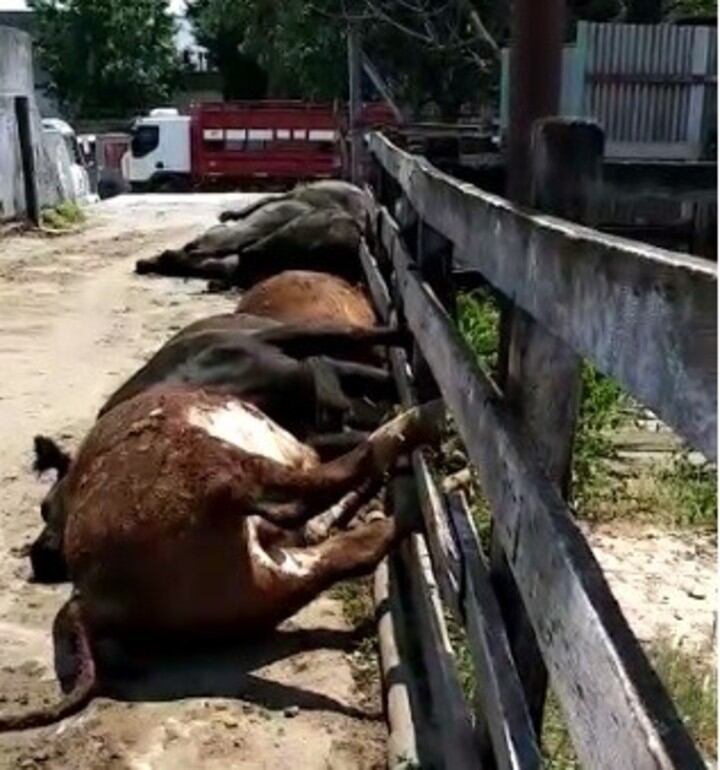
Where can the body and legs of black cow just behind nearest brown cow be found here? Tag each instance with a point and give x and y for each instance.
(291, 372)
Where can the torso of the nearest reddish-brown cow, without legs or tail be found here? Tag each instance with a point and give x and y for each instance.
(153, 548)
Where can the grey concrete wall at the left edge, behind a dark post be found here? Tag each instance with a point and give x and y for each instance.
(16, 79)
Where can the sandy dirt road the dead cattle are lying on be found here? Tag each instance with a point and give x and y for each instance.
(75, 322)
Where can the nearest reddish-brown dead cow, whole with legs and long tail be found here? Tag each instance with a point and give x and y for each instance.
(184, 520)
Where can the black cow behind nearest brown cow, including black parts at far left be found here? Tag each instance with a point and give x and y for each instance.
(299, 376)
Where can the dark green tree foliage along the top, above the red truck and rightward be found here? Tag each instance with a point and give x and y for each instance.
(440, 54)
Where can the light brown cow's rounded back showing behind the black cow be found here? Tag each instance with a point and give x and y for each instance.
(302, 296)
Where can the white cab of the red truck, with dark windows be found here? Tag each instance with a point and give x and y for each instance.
(159, 155)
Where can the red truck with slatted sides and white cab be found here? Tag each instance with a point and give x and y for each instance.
(234, 143)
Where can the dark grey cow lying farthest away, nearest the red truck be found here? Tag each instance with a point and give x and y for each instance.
(318, 230)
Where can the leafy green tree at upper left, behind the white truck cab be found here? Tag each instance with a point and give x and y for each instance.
(106, 57)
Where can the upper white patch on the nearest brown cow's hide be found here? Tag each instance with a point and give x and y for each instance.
(247, 428)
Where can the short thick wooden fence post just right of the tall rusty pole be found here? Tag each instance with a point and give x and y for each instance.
(542, 382)
